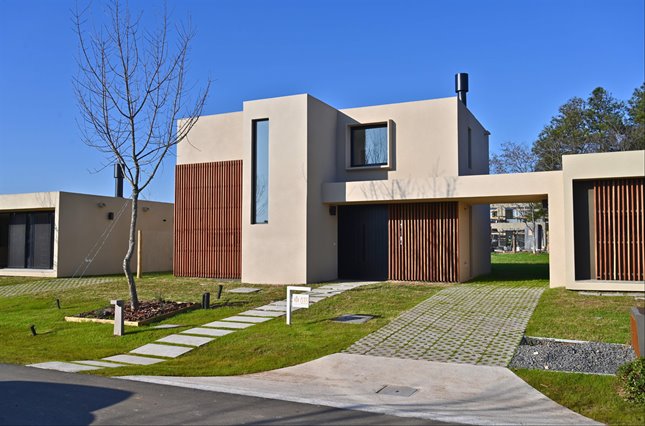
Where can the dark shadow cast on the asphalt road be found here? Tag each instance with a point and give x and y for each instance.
(44, 403)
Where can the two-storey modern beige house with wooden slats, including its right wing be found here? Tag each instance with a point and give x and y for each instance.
(292, 190)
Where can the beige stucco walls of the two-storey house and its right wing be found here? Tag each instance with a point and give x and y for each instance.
(436, 151)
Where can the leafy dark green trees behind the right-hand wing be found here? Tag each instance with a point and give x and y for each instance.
(599, 124)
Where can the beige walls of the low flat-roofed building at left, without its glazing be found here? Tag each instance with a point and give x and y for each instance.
(83, 231)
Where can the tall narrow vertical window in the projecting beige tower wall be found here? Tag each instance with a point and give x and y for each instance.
(260, 204)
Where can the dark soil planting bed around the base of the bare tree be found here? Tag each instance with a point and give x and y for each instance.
(148, 312)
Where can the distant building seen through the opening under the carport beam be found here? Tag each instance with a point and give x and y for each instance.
(512, 230)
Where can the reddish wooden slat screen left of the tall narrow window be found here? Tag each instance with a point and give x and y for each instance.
(208, 220)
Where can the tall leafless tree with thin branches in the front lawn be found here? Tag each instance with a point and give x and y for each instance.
(131, 89)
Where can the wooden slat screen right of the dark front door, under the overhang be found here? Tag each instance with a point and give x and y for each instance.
(423, 242)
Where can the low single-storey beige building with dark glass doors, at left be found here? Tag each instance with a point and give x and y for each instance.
(62, 234)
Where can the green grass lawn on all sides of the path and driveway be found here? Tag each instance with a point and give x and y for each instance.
(560, 313)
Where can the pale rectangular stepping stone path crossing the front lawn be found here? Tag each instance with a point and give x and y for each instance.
(175, 345)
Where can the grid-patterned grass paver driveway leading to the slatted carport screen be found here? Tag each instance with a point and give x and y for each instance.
(463, 324)
